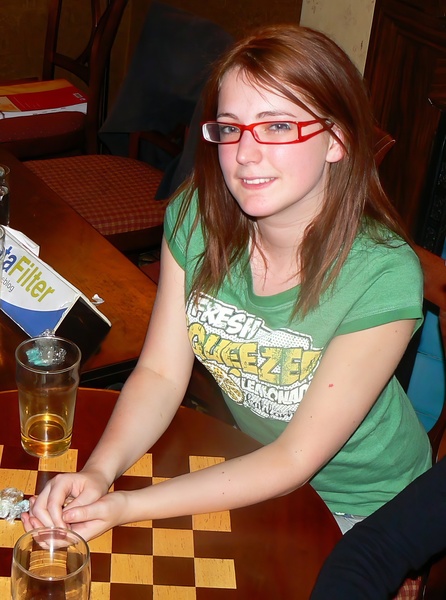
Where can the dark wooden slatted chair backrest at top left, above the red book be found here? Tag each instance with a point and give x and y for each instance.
(91, 65)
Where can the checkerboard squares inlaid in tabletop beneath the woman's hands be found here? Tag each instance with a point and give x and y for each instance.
(161, 560)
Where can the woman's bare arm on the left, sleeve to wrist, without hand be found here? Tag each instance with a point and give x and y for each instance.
(155, 389)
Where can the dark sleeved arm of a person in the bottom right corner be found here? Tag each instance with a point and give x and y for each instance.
(374, 557)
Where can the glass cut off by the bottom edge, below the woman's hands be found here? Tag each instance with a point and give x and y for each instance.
(50, 563)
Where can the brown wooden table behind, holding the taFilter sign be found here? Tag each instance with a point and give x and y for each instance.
(80, 254)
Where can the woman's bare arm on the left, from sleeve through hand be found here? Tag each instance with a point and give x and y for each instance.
(145, 408)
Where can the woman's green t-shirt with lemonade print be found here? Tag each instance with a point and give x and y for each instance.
(264, 360)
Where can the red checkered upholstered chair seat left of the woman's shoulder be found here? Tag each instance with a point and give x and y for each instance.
(114, 194)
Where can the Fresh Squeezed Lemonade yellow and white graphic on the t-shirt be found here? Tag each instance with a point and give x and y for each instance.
(261, 368)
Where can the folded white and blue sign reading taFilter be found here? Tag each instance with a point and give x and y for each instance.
(39, 300)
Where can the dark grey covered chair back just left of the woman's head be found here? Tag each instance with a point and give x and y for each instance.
(166, 74)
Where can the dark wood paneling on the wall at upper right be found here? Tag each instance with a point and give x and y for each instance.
(405, 73)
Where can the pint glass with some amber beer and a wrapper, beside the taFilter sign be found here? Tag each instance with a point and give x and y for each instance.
(47, 376)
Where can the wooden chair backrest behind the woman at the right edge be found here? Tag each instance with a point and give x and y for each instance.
(434, 270)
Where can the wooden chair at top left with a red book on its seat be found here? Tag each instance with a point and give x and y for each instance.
(68, 132)
